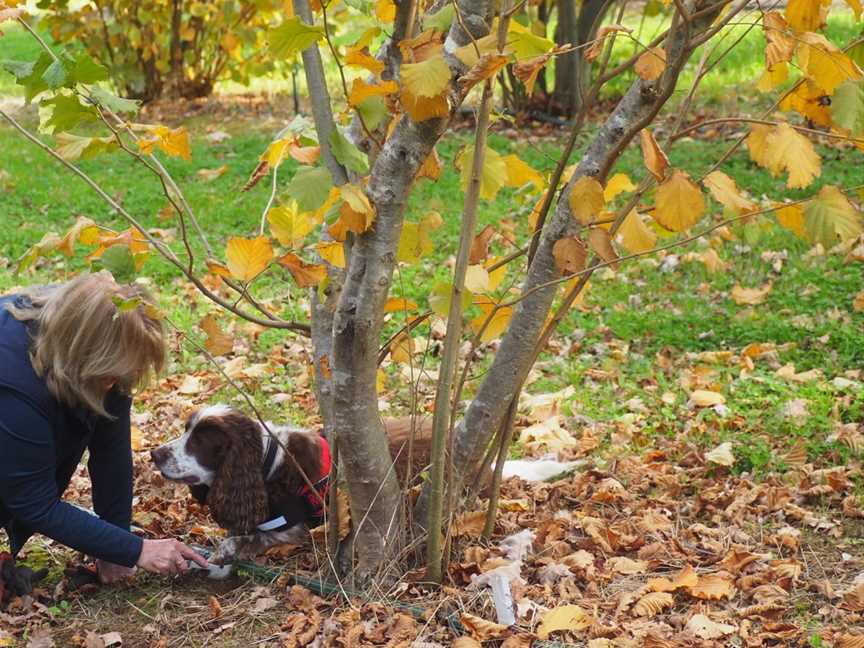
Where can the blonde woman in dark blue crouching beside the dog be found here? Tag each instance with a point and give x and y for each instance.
(69, 359)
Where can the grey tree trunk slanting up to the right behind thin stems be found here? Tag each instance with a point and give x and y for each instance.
(512, 362)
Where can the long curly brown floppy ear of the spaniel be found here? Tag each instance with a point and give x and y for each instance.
(238, 497)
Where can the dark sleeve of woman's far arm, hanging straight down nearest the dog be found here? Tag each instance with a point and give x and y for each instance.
(110, 464)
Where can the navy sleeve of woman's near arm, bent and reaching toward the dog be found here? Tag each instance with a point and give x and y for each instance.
(28, 489)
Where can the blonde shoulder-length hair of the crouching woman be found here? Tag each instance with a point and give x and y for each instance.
(92, 333)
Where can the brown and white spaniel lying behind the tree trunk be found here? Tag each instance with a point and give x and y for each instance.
(254, 491)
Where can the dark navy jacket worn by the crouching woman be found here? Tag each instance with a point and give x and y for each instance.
(41, 444)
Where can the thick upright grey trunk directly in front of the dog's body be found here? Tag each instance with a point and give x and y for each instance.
(374, 492)
